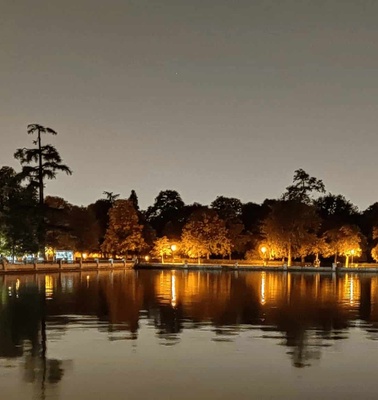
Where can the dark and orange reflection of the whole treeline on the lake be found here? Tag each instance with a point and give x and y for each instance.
(305, 313)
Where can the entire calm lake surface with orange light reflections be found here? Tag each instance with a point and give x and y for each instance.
(188, 335)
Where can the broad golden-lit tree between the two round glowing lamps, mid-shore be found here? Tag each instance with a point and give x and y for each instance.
(205, 234)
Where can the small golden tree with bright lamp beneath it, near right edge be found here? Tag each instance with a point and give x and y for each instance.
(345, 241)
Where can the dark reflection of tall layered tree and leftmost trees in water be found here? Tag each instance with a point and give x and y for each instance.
(23, 334)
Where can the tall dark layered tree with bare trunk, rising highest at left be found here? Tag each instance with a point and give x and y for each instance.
(40, 163)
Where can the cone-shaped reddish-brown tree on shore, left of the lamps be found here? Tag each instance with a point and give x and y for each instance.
(124, 233)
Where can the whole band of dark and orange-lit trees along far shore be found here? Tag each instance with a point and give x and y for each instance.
(306, 223)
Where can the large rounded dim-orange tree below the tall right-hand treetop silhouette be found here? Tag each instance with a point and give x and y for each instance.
(290, 226)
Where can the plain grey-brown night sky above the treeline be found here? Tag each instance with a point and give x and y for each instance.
(207, 97)
